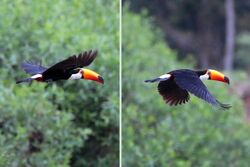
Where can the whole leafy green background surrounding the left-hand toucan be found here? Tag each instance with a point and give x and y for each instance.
(68, 123)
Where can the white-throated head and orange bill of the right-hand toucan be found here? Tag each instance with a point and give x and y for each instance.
(214, 75)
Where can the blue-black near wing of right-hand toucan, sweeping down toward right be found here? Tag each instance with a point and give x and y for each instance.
(190, 81)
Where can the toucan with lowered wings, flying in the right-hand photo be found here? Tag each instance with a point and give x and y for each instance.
(175, 86)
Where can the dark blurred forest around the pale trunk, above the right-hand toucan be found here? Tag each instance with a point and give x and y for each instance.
(191, 28)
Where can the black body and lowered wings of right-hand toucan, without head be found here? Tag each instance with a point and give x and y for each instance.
(175, 90)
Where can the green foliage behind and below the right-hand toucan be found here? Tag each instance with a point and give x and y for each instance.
(154, 134)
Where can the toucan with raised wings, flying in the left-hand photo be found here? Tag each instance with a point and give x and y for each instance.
(68, 69)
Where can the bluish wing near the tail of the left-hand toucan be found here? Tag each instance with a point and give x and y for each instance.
(33, 67)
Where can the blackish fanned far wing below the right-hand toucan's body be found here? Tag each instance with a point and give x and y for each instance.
(172, 93)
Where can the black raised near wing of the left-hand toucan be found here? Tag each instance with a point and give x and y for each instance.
(71, 63)
